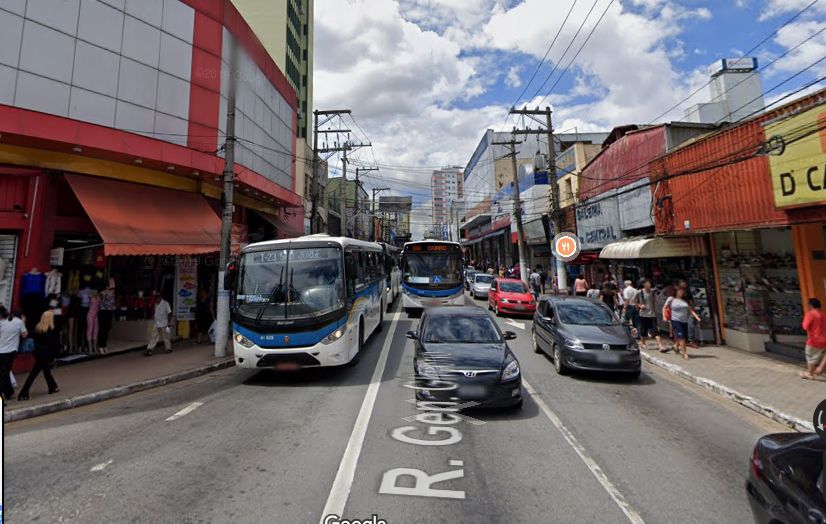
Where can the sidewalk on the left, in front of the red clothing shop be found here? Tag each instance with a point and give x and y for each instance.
(102, 379)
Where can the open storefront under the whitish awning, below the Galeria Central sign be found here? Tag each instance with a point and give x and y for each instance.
(667, 261)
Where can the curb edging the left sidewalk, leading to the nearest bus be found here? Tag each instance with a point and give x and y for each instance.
(108, 394)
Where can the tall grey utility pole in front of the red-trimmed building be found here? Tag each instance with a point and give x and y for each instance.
(222, 311)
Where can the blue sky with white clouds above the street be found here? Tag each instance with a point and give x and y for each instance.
(425, 78)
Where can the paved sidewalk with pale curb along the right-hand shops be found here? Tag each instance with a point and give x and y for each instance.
(768, 385)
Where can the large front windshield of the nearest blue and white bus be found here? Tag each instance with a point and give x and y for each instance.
(290, 283)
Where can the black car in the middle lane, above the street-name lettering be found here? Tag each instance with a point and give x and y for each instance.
(463, 355)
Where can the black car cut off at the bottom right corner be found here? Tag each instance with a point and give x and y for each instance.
(785, 484)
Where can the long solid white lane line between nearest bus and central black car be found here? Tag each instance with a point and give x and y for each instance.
(347, 469)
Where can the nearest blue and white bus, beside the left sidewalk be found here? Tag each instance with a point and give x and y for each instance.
(306, 302)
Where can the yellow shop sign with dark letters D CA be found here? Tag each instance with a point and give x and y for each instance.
(799, 172)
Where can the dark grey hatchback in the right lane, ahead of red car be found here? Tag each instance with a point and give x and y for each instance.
(584, 334)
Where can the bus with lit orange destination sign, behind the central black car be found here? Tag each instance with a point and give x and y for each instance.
(432, 274)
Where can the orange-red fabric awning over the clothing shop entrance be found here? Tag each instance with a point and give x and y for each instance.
(134, 219)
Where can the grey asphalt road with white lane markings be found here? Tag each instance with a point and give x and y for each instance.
(253, 447)
